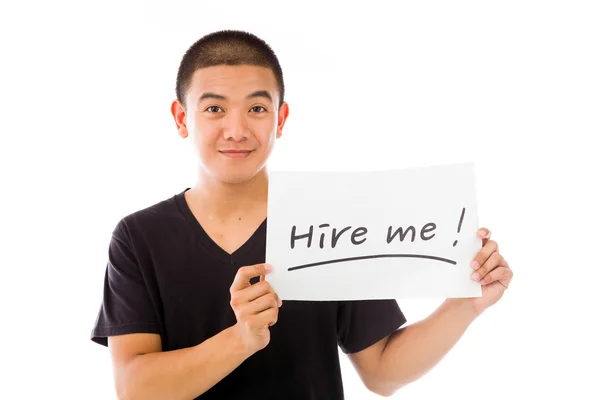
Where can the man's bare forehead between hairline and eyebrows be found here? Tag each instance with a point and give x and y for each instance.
(233, 80)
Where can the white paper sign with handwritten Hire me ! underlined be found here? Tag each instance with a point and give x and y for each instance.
(408, 233)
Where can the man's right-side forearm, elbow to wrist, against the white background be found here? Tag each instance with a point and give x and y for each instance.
(412, 351)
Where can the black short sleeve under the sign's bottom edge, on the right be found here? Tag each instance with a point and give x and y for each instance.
(361, 323)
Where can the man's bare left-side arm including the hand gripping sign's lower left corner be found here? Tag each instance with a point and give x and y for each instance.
(143, 371)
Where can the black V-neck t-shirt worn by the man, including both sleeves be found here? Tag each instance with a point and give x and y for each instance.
(165, 275)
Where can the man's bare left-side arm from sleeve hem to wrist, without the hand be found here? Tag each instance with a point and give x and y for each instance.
(143, 371)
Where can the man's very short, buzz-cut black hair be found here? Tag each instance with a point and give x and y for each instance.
(226, 47)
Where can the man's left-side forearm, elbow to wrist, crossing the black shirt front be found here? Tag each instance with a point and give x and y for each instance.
(182, 374)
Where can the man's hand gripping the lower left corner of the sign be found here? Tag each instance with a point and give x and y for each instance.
(256, 307)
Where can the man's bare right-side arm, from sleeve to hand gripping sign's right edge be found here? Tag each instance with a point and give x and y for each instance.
(409, 353)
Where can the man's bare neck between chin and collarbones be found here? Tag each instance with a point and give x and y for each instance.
(225, 201)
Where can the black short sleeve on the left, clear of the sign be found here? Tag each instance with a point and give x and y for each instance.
(126, 305)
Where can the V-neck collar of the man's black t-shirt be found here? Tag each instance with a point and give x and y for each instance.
(211, 246)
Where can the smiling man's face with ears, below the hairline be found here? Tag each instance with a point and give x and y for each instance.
(233, 119)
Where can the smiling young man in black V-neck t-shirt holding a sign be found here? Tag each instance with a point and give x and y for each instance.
(186, 311)
